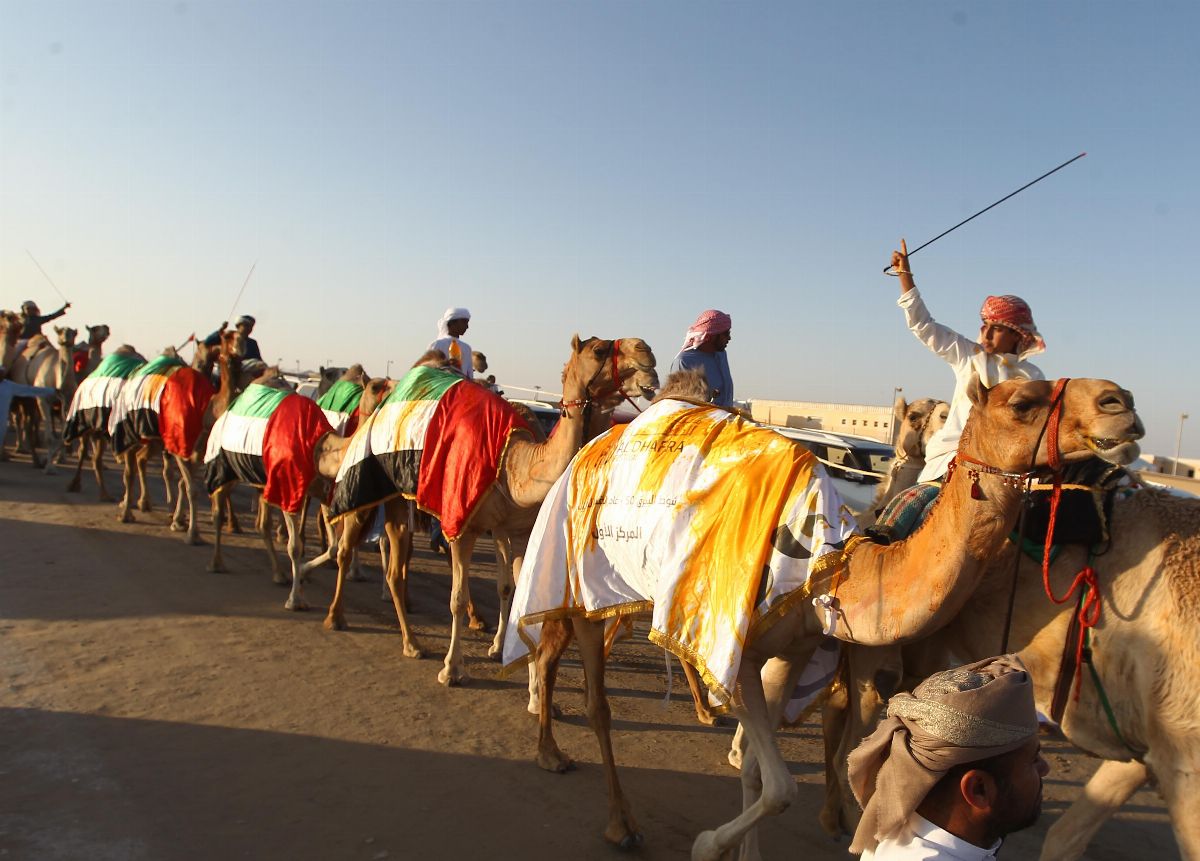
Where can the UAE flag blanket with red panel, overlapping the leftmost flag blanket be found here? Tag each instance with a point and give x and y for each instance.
(163, 400)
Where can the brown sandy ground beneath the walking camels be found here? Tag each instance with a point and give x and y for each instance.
(151, 711)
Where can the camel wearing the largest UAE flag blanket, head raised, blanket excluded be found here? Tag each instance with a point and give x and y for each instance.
(596, 371)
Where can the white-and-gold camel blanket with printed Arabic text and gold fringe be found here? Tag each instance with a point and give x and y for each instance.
(715, 525)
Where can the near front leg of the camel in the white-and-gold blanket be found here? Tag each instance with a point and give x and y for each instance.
(765, 776)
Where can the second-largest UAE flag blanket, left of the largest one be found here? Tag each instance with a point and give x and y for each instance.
(267, 438)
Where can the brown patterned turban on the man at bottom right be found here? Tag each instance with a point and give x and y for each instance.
(952, 719)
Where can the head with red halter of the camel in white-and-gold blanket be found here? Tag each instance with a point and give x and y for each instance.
(1010, 424)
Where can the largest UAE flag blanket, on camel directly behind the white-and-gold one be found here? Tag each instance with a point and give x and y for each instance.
(437, 439)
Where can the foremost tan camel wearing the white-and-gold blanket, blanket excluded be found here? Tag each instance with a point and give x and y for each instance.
(878, 595)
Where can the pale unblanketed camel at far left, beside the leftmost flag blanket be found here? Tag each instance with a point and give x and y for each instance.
(43, 365)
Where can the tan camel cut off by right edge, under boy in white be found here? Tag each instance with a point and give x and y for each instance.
(1144, 649)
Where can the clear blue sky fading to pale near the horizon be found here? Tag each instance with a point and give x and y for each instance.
(614, 170)
